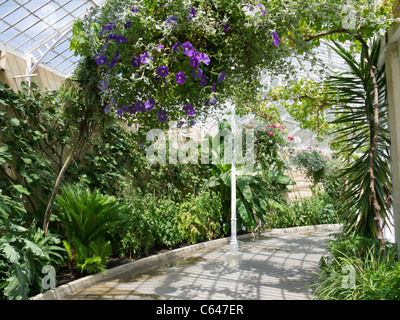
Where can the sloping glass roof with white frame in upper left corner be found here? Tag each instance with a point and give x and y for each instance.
(40, 31)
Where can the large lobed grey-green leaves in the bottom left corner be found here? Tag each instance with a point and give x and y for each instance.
(23, 254)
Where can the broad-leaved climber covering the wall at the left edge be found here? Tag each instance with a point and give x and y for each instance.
(34, 138)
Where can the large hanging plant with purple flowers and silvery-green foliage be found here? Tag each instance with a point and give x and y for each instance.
(176, 53)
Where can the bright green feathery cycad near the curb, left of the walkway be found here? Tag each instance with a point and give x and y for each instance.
(87, 217)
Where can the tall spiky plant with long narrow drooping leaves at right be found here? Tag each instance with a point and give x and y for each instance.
(363, 140)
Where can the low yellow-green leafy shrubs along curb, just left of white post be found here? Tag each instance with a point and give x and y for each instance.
(158, 222)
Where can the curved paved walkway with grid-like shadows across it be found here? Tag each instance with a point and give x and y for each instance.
(275, 266)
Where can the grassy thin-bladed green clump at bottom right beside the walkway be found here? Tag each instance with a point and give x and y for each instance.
(376, 277)
